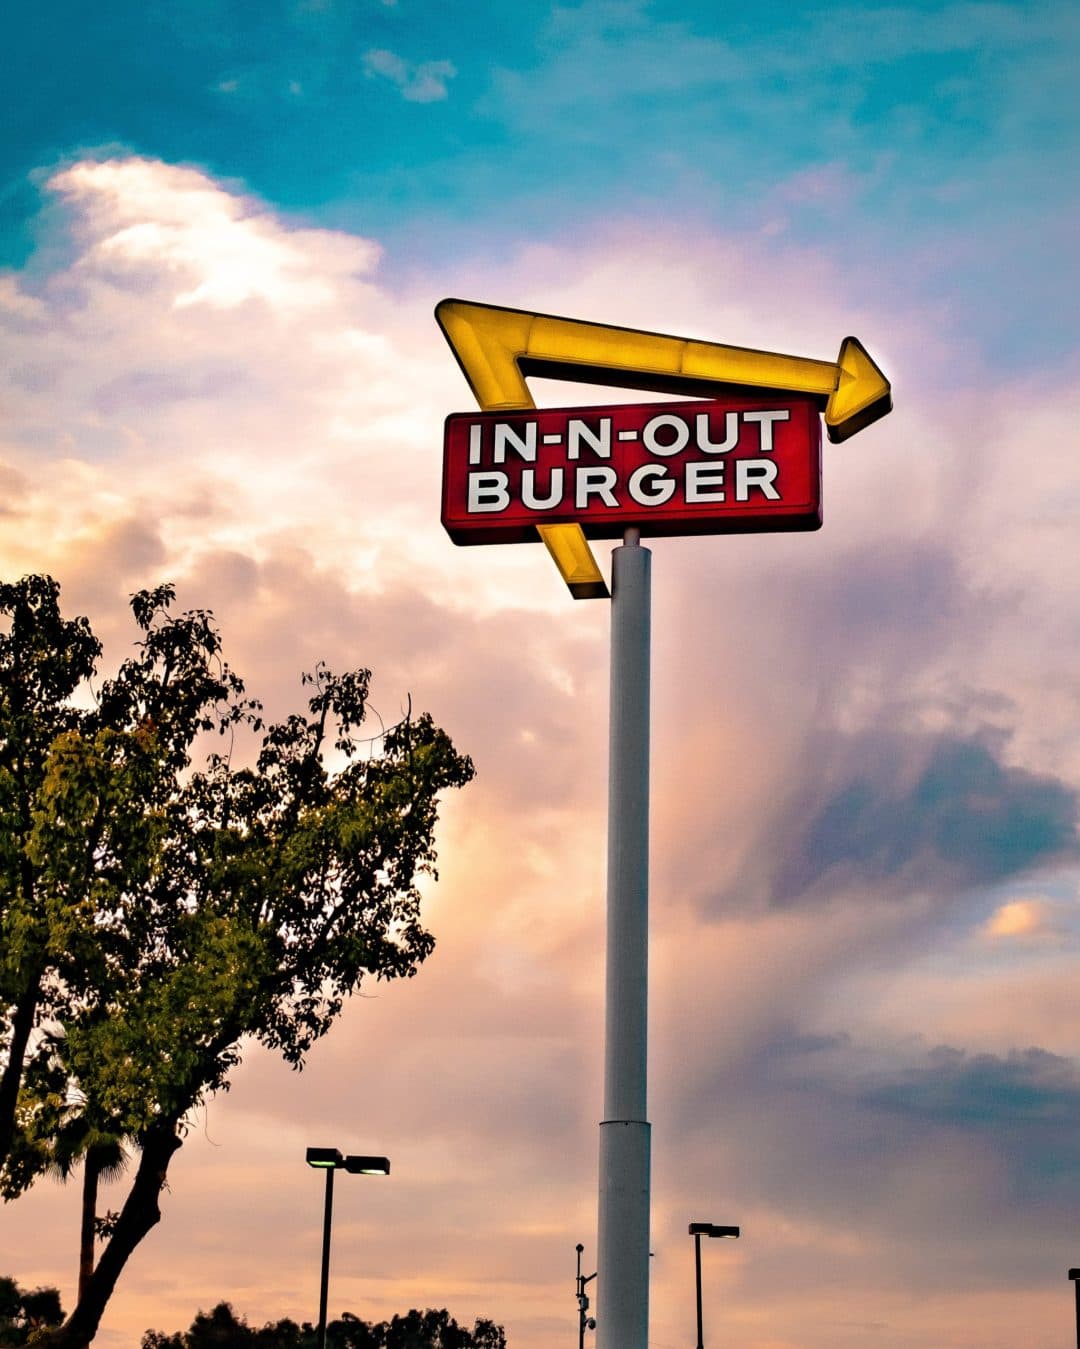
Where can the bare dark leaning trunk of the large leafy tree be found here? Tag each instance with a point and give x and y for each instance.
(138, 1217)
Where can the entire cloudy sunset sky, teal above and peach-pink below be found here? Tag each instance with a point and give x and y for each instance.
(223, 233)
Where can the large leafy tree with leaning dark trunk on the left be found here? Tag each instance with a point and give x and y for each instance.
(152, 915)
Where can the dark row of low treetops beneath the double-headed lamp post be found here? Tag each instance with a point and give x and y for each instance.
(223, 1329)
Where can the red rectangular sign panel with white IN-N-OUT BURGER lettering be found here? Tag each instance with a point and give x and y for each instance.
(726, 467)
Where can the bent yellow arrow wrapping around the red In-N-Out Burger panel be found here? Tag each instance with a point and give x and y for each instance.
(498, 349)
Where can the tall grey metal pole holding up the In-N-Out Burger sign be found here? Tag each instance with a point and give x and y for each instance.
(622, 1313)
